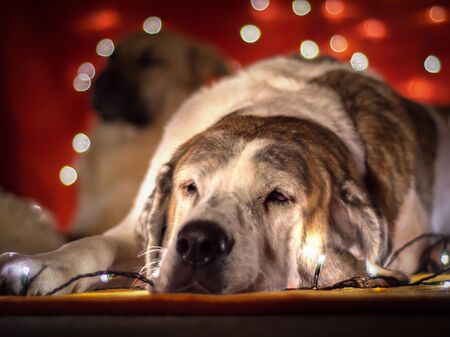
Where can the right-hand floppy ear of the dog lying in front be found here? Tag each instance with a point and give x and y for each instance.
(356, 224)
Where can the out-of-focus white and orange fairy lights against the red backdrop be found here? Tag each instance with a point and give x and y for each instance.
(250, 33)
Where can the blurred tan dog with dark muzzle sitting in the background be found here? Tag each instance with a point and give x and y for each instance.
(147, 78)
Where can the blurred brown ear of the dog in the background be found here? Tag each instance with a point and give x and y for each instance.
(206, 64)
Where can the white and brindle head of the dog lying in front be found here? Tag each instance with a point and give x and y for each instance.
(251, 203)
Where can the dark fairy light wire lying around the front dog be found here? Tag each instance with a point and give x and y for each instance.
(354, 282)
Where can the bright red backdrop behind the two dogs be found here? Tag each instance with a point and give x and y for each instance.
(44, 42)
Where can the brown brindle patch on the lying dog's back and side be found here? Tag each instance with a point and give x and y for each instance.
(390, 128)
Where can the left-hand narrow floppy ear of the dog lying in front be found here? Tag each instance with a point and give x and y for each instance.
(153, 217)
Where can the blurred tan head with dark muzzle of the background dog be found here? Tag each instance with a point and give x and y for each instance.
(152, 74)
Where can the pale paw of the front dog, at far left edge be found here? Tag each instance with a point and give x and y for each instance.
(32, 275)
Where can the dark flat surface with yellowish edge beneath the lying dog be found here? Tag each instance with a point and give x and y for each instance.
(417, 311)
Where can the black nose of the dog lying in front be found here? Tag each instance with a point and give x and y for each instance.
(202, 242)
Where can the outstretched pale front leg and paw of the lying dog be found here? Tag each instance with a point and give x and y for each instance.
(40, 274)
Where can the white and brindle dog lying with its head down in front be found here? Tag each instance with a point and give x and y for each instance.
(259, 175)
